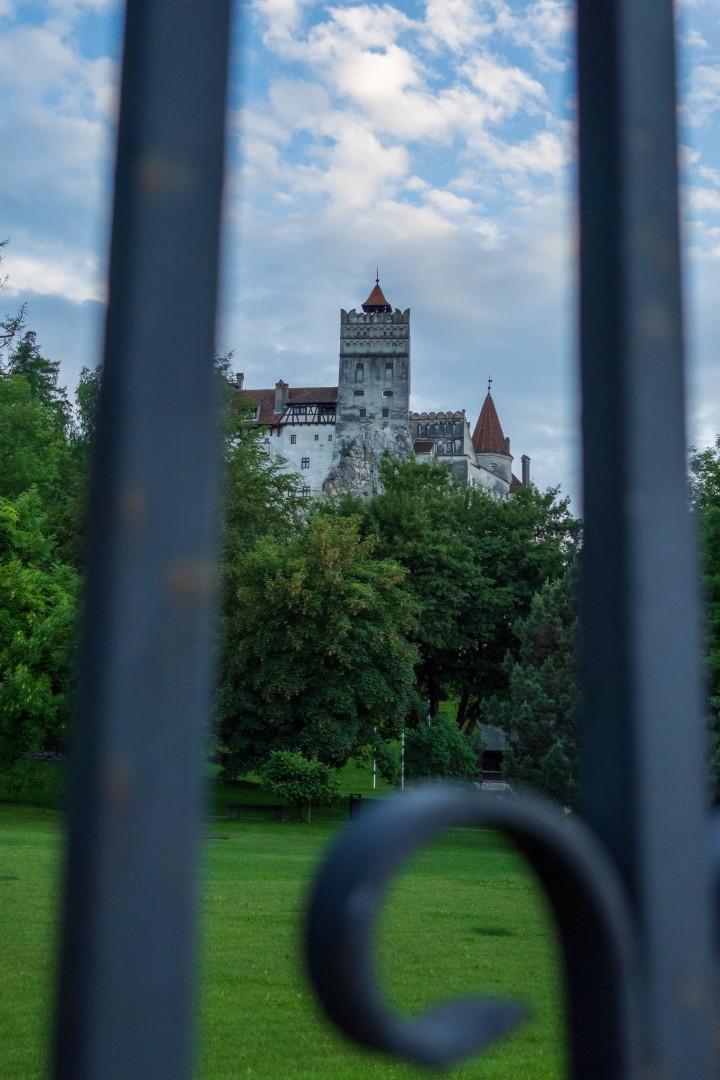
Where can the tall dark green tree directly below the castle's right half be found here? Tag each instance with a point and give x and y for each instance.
(473, 566)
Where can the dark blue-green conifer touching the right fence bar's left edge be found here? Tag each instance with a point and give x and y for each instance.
(541, 713)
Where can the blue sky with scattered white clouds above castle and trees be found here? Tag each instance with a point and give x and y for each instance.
(433, 140)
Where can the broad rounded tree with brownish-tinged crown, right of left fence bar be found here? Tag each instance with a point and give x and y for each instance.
(317, 651)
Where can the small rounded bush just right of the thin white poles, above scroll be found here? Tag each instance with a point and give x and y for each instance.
(439, 750)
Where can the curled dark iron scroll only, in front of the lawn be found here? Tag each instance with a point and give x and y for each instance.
(586, 896)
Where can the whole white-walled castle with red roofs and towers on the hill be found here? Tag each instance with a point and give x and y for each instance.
(335, 437)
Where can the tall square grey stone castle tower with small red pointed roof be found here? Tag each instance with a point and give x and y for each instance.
(374, 382)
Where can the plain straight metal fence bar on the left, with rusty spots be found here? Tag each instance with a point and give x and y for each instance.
(129, 960)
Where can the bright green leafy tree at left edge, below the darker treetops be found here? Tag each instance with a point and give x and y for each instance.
(38, 614)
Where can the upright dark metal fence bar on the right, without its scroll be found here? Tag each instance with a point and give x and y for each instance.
(643, 733)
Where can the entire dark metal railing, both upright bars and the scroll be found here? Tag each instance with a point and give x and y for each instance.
(632, 888)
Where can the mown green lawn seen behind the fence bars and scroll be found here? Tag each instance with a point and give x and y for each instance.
(465, 917)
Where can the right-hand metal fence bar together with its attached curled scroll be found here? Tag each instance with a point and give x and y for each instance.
(644, 778)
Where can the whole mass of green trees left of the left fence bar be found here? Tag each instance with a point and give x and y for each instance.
(39, 524)
